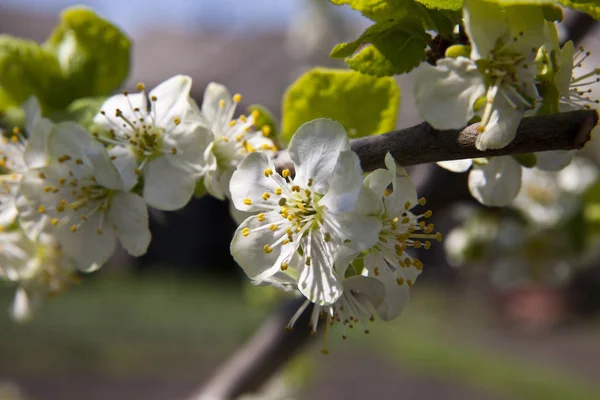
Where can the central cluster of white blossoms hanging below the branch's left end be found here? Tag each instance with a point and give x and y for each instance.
(324, 230)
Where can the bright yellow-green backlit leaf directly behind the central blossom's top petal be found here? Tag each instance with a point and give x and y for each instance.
(364, 105)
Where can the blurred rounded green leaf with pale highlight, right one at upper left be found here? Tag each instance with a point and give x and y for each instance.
(93, 54)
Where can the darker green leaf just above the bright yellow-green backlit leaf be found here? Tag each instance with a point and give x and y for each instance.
(394, 47)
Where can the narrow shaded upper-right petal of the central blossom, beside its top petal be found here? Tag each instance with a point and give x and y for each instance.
(344, 185)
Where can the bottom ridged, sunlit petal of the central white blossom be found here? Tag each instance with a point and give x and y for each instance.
(317, 281)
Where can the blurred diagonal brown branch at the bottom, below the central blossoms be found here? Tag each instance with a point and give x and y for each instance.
(263, 355)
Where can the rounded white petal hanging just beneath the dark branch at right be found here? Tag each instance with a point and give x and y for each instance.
(496, 183)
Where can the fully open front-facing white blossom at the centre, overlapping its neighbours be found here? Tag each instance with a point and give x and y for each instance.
(303, 220)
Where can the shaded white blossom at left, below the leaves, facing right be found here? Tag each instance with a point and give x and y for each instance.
(81, 198)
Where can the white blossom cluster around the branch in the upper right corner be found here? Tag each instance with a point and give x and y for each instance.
(512, 67)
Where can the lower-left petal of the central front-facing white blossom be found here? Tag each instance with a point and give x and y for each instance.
(248, 251)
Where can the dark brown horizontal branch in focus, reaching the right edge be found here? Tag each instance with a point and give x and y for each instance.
(422, 144)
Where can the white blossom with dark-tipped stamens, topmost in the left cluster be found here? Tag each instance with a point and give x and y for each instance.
(163, 143)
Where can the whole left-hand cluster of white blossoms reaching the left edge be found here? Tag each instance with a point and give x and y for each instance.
(71, 194)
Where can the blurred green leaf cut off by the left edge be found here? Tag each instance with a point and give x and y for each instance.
(26, 69)
